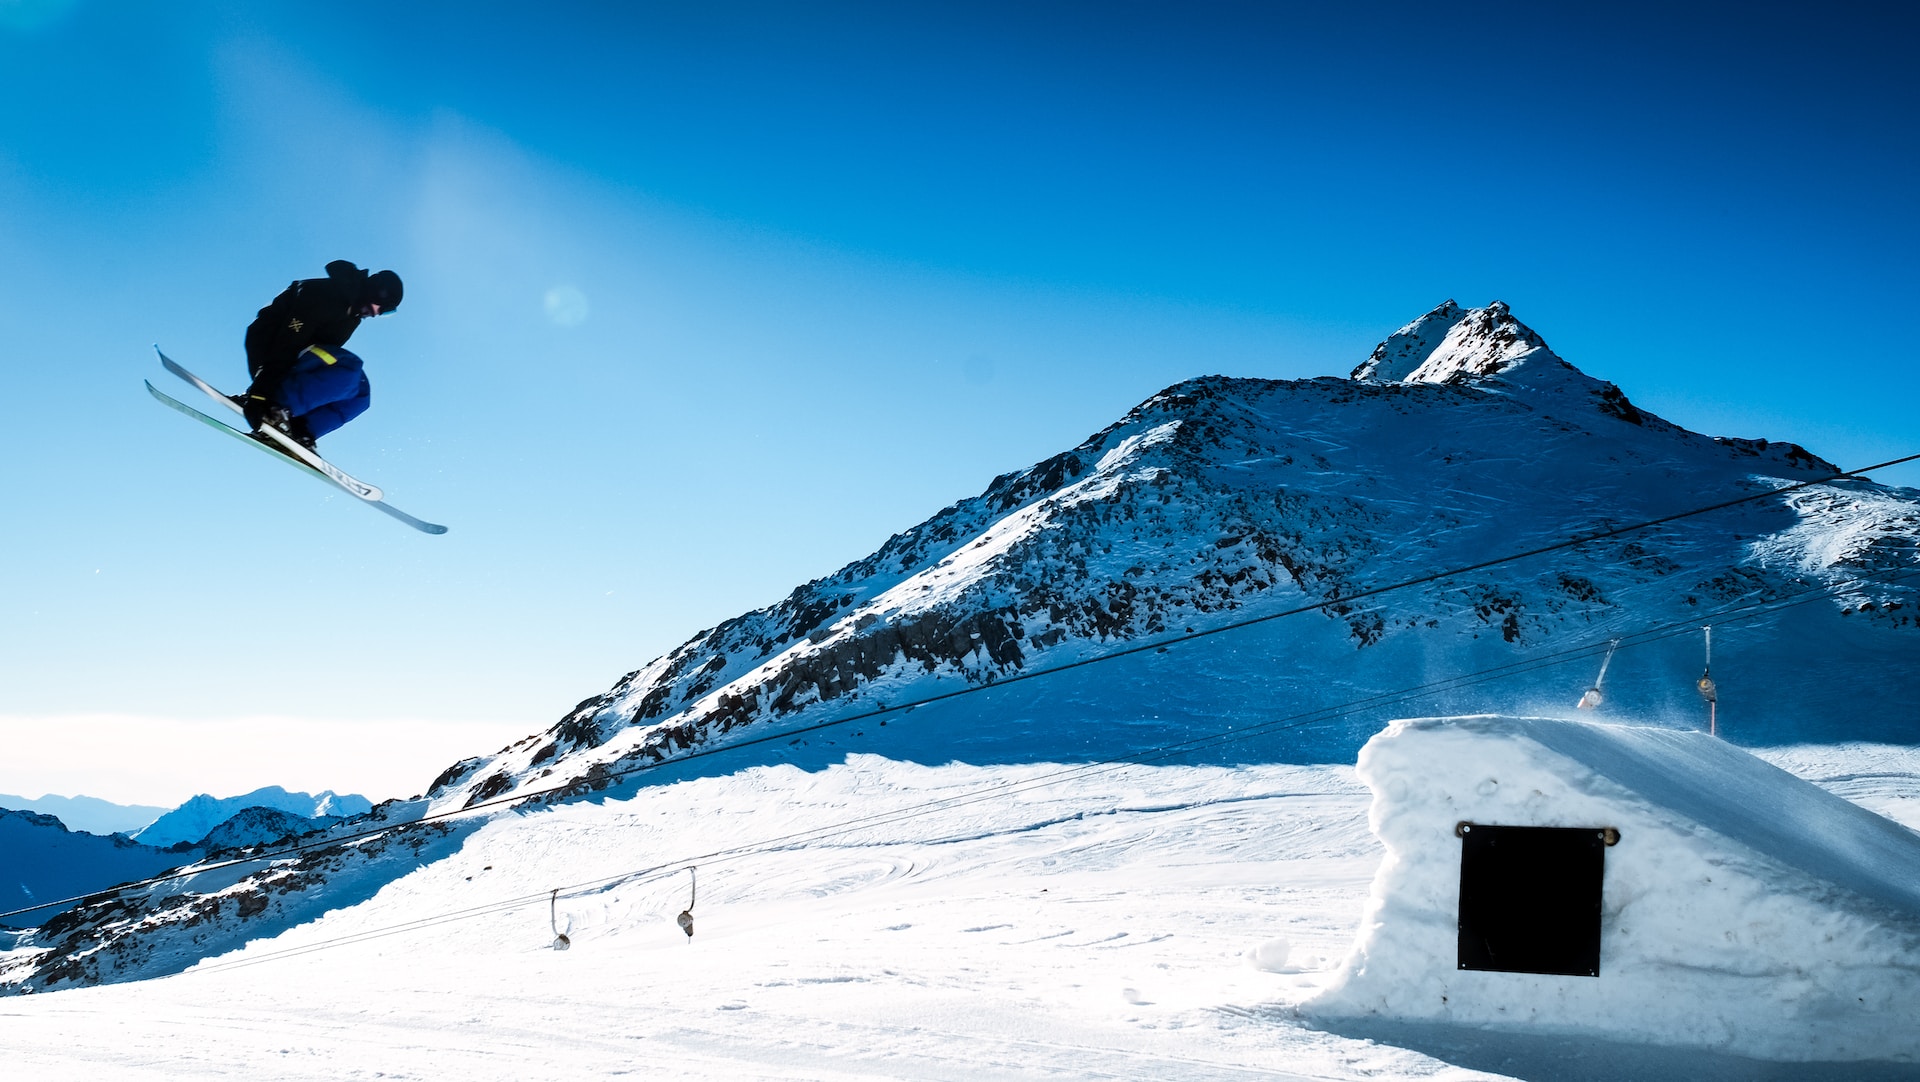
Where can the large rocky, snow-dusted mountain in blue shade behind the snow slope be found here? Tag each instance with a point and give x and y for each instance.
(1216, 565)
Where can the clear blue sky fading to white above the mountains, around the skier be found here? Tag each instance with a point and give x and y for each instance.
(709, 300)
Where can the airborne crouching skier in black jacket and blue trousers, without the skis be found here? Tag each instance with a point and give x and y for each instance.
(304, 383)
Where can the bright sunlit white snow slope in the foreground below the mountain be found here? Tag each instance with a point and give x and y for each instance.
(1122, 924)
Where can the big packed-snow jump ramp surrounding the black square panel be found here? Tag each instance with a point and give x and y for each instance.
(1742, 908)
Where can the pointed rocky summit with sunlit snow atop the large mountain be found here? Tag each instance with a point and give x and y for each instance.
(1458, 346)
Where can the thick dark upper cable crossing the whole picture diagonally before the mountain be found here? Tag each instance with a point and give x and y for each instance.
(972, 690)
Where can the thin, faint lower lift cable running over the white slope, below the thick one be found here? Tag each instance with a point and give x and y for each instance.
(946, 805)
